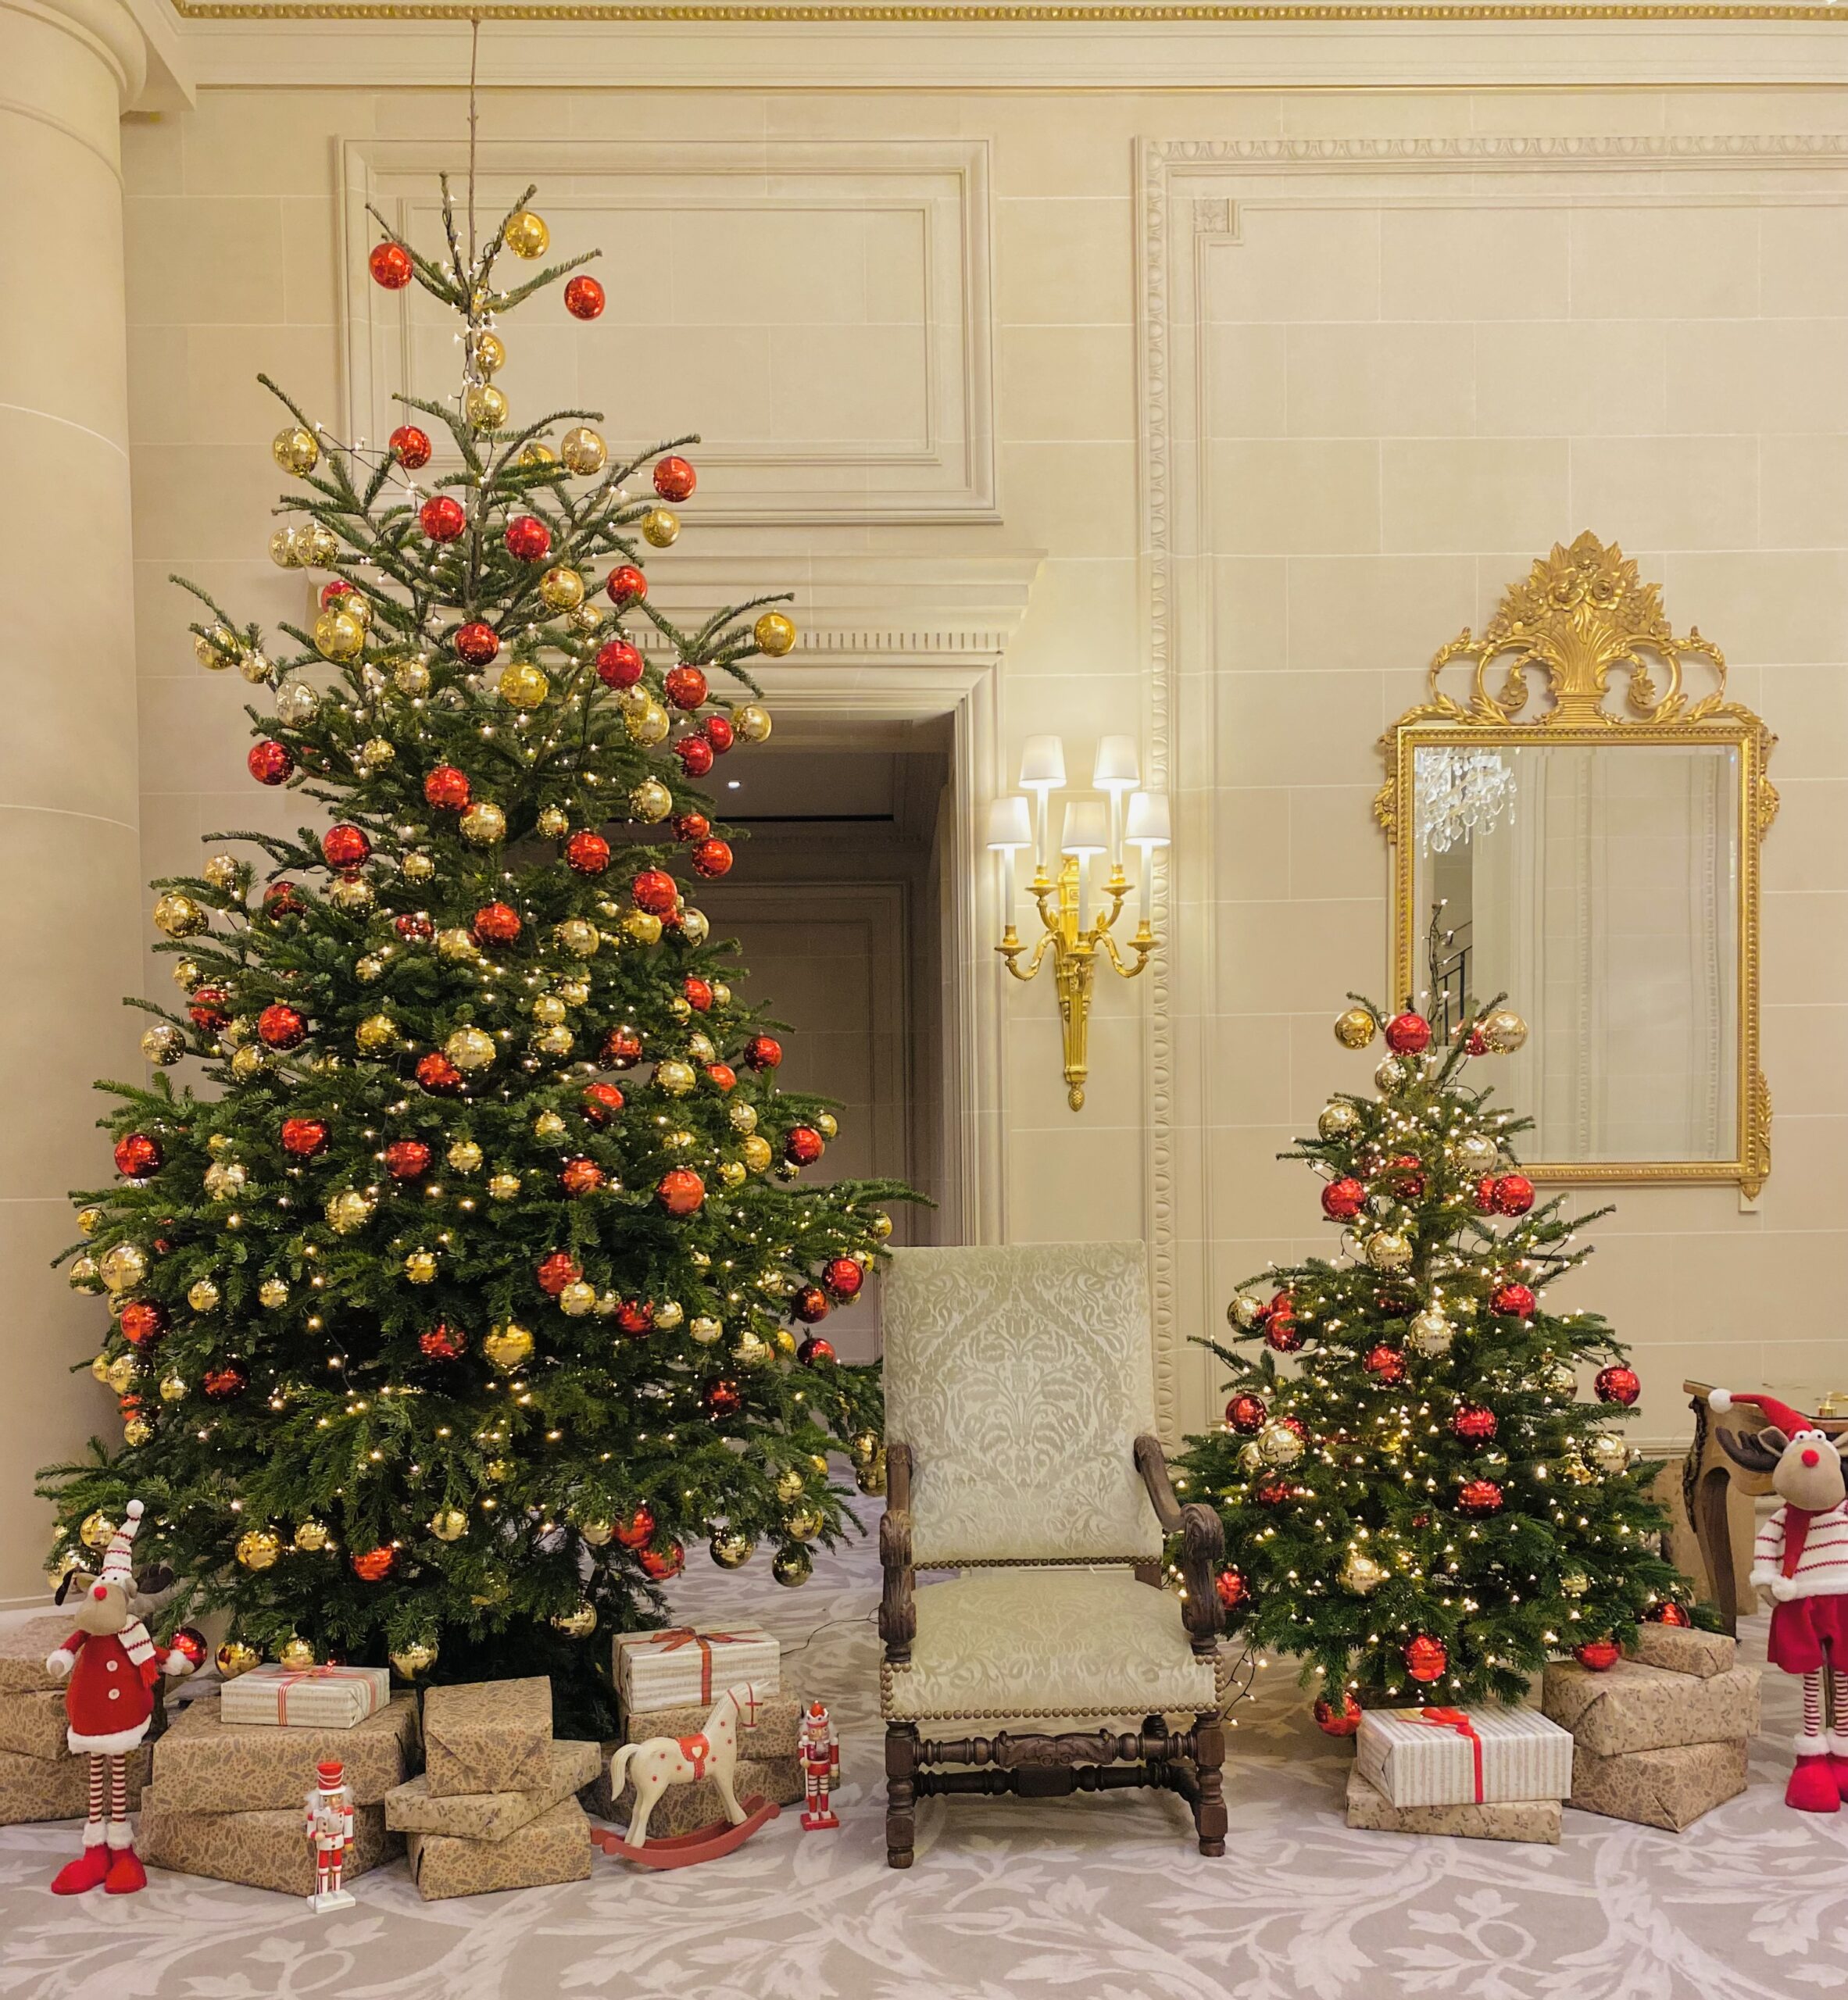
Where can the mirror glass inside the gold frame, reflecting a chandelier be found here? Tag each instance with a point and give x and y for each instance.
(1601, 887)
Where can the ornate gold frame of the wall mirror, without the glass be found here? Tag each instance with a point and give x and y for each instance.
(1581, 615)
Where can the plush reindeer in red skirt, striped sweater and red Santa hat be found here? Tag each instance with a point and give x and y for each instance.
(1801, 1559)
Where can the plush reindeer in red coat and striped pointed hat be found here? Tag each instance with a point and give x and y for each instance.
(109, 1705)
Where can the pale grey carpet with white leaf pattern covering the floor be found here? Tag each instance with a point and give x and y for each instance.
(1063, 1901)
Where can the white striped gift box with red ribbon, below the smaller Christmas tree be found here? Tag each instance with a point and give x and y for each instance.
(1463, 1757)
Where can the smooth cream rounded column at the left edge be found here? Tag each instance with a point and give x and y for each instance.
(71, 893)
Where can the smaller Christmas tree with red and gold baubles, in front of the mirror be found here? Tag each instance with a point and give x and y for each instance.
(1425, 1509)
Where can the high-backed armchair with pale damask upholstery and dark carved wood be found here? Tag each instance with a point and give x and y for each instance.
(1021, 1451)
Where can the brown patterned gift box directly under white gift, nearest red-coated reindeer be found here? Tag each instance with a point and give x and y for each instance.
(209, 1765)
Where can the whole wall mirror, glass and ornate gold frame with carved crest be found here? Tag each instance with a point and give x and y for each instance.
(1595, 863)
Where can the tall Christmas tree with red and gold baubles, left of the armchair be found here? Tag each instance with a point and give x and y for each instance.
(461, 1303)
